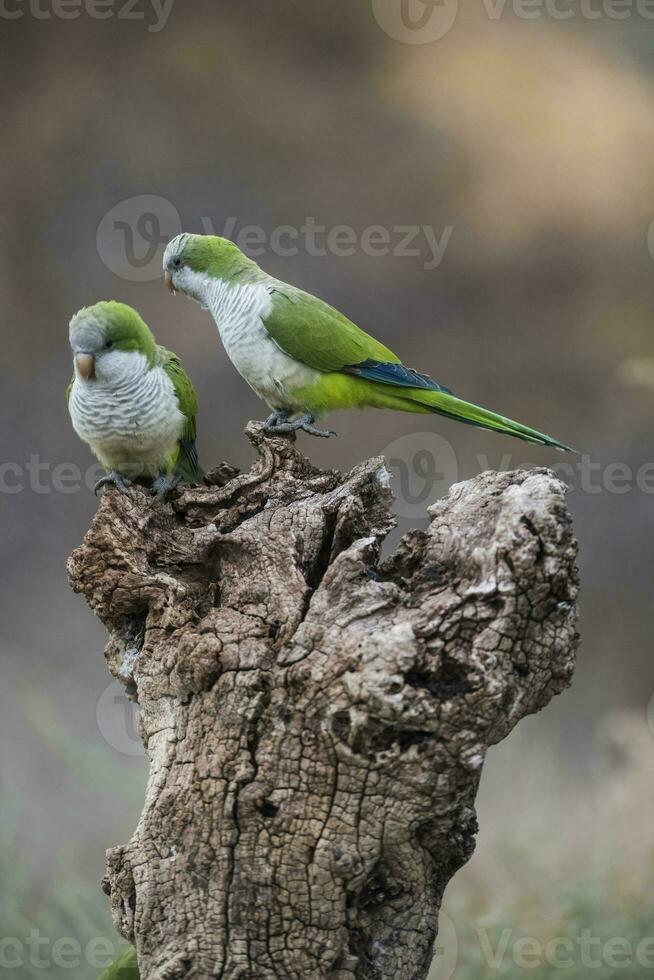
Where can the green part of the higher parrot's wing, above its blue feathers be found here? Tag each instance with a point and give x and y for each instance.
(316, 334)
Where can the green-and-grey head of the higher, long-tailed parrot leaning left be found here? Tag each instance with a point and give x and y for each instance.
(193, 262)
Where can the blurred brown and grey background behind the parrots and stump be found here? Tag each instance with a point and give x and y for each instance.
(531, 139)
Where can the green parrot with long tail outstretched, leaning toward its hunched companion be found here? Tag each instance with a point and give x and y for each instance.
(303, 357)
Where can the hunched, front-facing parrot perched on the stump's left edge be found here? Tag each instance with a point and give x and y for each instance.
(131, 400)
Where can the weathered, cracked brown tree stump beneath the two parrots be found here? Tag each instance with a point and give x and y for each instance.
(316, 720)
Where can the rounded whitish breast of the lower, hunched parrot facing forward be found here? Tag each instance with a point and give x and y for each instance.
(131, 420)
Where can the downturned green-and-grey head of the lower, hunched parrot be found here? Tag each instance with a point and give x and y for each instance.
(110, 340)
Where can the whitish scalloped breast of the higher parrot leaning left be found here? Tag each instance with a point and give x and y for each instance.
(239, 311)
